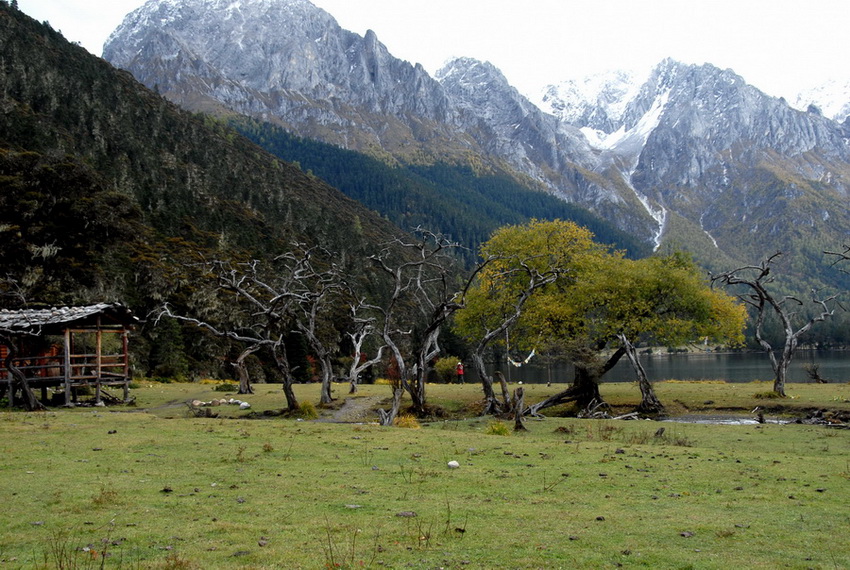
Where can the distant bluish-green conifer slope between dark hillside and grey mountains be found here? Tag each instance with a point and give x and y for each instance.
(449, 198)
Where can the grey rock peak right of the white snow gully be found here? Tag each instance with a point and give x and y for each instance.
(722, 152)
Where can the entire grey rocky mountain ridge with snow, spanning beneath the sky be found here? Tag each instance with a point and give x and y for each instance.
(695, 157)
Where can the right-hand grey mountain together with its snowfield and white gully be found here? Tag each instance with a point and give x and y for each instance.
(702, 149)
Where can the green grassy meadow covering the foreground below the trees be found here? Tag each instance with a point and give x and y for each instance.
(154, 487)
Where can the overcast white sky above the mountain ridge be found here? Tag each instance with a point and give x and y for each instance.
(780, 46)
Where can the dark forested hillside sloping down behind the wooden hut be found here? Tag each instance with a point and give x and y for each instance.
(111, 193)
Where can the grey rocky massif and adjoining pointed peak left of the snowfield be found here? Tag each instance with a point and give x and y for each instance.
(289, 62)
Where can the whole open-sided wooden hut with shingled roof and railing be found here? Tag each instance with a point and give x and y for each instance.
(68, 347)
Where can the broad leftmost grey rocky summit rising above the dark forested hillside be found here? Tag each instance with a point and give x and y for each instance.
(285, 59)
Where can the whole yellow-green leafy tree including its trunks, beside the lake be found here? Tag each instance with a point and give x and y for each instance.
(590, 303)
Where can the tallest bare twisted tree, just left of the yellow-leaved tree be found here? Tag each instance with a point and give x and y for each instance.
(425, 278)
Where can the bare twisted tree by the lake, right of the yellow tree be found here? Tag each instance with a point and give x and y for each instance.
(757, 279)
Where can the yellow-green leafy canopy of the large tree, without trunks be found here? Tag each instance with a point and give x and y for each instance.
(598, 293)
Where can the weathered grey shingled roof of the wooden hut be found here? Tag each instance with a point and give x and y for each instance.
(34, 320)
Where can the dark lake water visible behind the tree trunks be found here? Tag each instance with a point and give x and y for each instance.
(731, 367)
